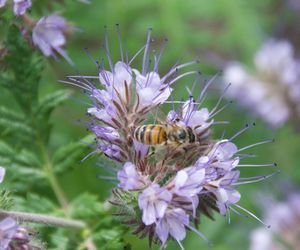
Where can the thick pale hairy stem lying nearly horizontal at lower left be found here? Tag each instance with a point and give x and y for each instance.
(44, 219)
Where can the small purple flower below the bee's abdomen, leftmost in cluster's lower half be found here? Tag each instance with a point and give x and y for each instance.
(130, 178)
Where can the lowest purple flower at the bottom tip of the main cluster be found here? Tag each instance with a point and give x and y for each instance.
(173, 223)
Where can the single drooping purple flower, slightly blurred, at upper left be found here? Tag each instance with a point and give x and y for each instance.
(49, 35)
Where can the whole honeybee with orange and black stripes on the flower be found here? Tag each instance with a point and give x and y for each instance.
(157, 134)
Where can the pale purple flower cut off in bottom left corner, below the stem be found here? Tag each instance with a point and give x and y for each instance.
(8, 228)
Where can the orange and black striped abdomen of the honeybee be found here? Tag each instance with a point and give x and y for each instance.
(150, 134)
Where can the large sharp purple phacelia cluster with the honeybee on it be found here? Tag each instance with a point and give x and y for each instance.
(171, 172)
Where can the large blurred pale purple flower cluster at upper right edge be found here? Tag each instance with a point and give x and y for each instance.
(273, 85)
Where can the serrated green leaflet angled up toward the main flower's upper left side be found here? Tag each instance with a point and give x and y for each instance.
(51, 101)
